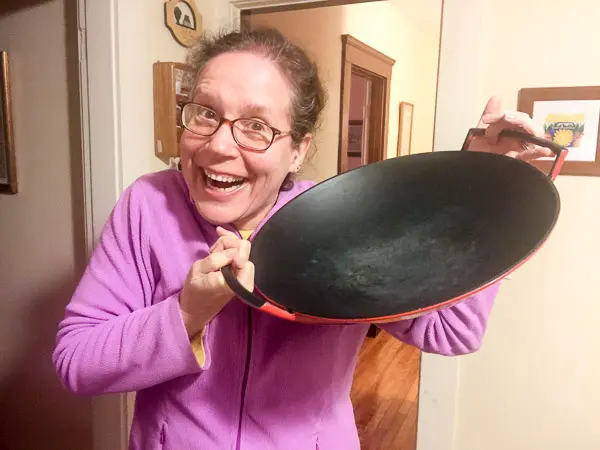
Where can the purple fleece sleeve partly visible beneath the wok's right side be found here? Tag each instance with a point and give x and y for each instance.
(455, 330)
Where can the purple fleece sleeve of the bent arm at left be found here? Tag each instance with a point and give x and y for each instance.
(113, 338)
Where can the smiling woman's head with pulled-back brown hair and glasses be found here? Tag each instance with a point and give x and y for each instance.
(272, 128)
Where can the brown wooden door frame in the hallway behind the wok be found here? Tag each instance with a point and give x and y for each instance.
(360, 58)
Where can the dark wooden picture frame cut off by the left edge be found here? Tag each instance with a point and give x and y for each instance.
(8, 168)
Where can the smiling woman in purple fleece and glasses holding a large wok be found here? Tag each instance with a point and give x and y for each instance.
(153, 314)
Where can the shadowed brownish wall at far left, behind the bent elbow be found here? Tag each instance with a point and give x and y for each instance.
(41, 232)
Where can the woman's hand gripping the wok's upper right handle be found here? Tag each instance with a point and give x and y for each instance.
(495, 120)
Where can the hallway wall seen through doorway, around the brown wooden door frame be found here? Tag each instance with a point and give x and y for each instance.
(406, 31)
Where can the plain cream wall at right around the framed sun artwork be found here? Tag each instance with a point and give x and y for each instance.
(534, 384)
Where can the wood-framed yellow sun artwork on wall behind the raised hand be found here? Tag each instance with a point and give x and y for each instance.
(571, 118)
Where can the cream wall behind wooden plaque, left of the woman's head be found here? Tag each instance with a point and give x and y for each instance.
(142, 40)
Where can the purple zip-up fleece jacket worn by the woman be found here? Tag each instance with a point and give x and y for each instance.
(266, 383)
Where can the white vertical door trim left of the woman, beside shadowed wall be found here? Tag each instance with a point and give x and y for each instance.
(101, 137)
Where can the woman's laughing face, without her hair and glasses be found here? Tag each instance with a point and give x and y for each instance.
(228, 183)
